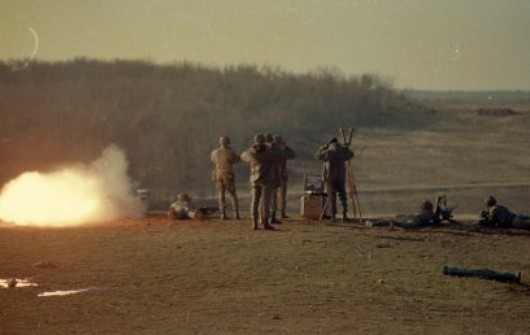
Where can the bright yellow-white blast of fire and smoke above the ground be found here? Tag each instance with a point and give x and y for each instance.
(74, 195)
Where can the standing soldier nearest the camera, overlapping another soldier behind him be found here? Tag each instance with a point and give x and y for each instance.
(262, 162)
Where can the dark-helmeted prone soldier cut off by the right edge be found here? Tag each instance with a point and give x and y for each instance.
(495, 215)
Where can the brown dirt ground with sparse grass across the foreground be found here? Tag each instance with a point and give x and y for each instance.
(152, 276)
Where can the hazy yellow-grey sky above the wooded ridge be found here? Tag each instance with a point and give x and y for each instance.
(423, 44)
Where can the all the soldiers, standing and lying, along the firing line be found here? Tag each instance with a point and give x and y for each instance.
(267, 158)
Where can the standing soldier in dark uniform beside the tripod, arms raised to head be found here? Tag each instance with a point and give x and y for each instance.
(334, 156)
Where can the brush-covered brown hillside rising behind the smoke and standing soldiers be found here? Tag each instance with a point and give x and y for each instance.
(168, 118)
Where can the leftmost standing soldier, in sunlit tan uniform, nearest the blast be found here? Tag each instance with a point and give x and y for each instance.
(223, 158)
